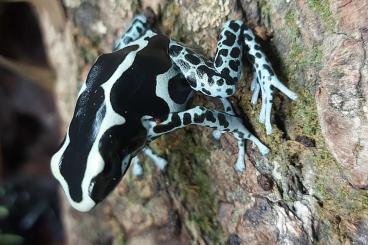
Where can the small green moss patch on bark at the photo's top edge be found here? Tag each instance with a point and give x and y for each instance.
(322, 8)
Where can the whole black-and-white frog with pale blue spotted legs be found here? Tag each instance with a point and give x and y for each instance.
(140, 91)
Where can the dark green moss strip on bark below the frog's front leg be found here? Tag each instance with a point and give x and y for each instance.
(188, 174)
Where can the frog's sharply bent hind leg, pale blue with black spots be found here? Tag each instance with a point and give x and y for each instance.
(219, 78)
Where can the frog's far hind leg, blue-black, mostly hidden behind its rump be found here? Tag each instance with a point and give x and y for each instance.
(137, 28)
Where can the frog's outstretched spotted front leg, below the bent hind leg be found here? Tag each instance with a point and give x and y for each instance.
(205, 117)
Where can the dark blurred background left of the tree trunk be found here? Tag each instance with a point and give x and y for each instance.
(29, 131)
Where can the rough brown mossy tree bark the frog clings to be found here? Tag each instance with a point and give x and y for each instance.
(311, 188)
